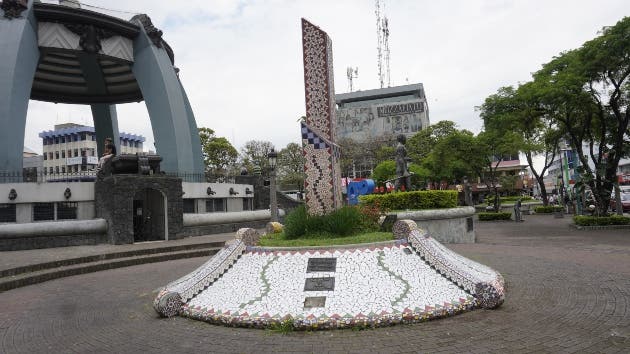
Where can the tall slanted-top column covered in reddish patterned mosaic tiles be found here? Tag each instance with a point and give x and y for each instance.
(323, 175)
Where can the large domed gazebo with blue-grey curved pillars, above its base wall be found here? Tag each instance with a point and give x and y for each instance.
(63, 54)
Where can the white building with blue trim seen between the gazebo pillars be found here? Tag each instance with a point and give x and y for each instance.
(71, 148)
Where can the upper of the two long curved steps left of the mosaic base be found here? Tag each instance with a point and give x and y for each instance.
(159, 248)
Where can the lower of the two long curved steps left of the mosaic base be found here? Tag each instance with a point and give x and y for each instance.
(99, 264)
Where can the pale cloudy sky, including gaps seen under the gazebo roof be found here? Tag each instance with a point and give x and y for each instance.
(241, 61)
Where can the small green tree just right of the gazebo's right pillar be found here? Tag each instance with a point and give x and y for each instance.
(218, 153)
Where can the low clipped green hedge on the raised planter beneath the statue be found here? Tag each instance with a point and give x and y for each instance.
(412, 200)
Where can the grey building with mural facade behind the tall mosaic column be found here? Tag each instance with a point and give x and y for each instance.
(381, 114)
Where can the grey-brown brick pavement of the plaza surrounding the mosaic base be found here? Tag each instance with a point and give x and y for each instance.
(568, 291)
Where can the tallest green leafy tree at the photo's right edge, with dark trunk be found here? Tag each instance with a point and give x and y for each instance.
(589, 88)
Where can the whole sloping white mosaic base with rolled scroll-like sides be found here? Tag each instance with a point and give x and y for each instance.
(412, 279)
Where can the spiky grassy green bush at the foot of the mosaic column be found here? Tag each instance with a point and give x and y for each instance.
(341, 222)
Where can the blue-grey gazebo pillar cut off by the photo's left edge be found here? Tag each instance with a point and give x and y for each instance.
(19, 55)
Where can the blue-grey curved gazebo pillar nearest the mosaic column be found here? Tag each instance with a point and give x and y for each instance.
(168, 107)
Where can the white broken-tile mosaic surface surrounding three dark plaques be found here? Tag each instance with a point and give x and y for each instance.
(368, 282)
